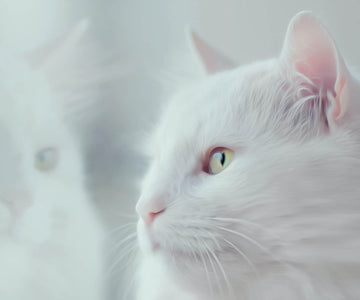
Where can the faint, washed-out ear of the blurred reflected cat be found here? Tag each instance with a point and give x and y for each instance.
(74, 68)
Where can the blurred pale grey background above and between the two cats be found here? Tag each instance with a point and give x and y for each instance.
(146, 41)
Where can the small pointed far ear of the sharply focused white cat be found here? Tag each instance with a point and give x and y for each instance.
(212, 60)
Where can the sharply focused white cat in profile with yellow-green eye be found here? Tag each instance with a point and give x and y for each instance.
(253, 191)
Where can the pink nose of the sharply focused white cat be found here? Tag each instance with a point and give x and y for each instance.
(149, 210)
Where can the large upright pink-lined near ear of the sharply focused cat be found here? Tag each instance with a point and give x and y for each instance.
(311, 51)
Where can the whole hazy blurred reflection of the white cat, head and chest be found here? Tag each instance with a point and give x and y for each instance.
(50, 237)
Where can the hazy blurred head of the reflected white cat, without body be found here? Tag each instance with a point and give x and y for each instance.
(41, 178)
